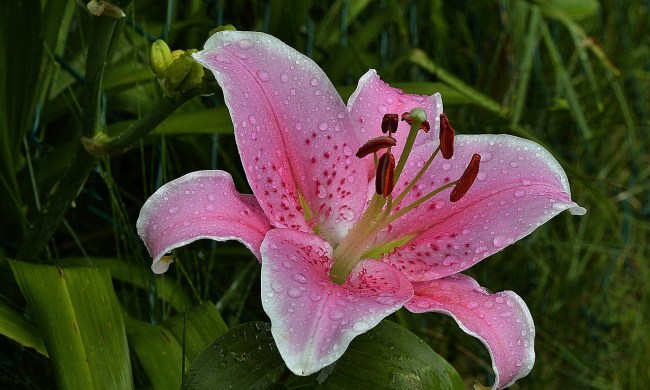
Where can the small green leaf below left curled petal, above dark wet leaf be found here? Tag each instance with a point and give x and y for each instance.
(201, 326)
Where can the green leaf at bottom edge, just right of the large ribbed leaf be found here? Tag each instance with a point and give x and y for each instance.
(159, 352)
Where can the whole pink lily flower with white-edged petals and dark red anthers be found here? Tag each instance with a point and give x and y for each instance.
(336, 256)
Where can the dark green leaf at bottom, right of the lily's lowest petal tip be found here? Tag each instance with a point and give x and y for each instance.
(391, 357)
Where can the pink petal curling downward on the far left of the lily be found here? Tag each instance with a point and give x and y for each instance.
(202, 204)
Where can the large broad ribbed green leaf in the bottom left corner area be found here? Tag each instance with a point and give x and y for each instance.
(80, 320)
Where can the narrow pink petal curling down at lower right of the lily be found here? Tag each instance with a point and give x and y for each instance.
(501, 321)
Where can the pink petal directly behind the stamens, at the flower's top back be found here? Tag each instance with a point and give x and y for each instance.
(373, 98)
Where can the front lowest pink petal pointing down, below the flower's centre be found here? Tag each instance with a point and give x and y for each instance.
(313, 319)
